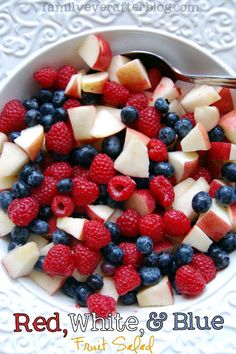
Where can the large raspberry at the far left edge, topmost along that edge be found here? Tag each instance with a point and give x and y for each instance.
(12, 117)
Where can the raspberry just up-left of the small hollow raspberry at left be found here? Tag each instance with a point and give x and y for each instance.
(45, 193)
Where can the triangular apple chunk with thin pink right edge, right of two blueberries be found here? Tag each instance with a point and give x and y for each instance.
(197, 139)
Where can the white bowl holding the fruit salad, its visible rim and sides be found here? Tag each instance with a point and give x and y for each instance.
(181, 53)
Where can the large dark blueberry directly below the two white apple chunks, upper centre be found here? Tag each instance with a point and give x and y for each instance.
(84, 155)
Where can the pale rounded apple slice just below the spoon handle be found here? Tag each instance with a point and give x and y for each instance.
(199, 96)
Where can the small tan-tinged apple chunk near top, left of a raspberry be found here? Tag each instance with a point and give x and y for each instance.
(94, 82)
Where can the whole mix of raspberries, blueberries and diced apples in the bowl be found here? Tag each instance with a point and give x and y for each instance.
(118, 184)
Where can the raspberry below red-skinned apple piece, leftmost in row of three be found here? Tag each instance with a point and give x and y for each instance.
(128, 223)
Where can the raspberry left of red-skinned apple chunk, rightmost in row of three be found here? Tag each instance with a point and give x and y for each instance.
(176, 223)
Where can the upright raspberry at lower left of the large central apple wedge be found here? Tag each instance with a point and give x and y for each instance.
(102, 169)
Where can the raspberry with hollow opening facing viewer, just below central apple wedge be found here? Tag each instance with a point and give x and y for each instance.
(121, 187)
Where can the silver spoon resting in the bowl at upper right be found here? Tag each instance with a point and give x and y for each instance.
(150, 59)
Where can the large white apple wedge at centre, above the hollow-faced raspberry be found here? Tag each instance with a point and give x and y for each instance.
(133, 160)
